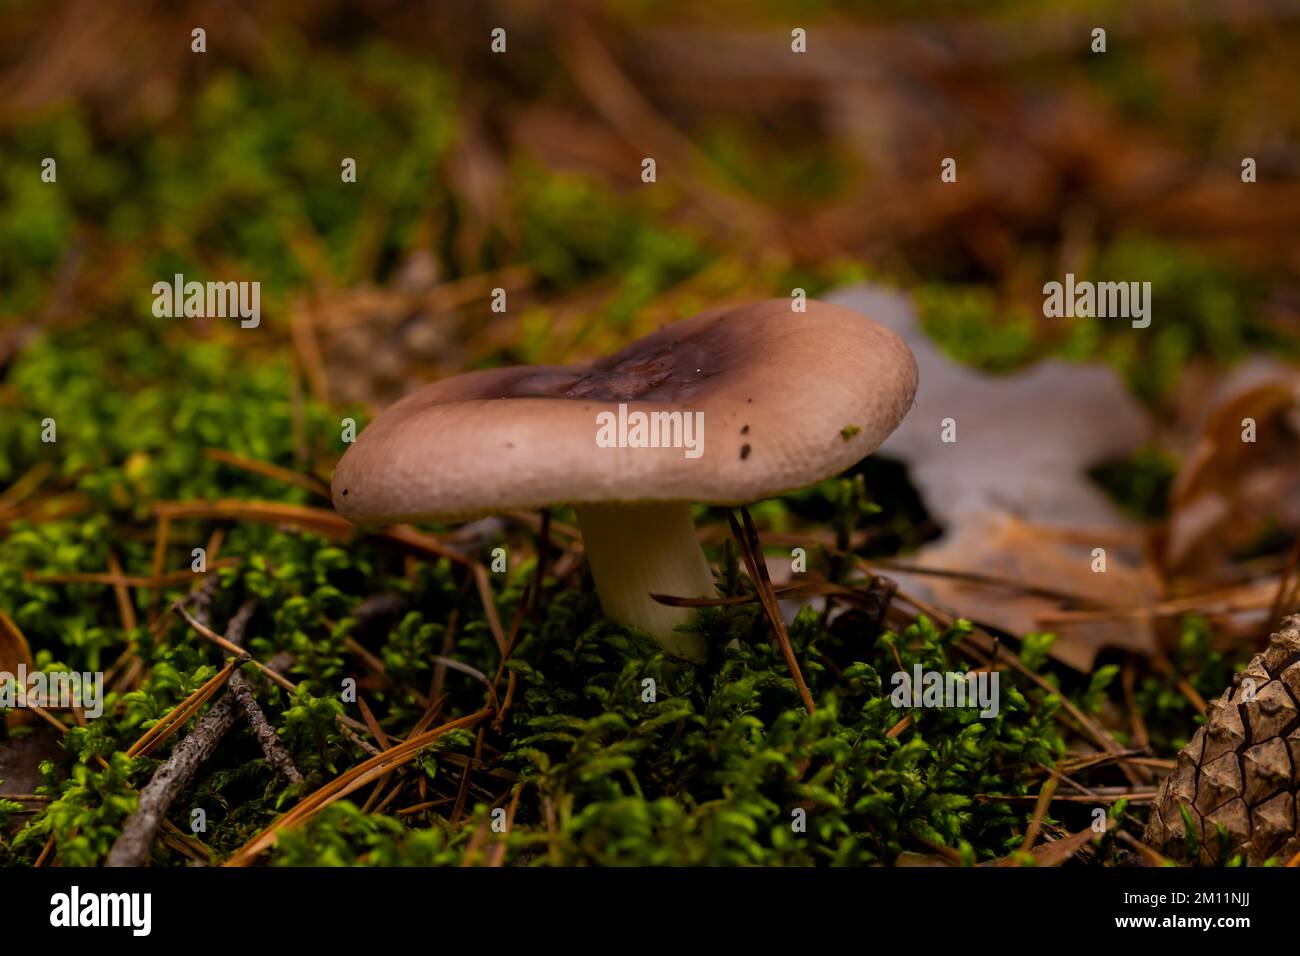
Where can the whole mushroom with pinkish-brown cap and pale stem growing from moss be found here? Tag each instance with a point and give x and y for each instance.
(729, 408)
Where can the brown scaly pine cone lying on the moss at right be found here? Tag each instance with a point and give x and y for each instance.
(1242, 769)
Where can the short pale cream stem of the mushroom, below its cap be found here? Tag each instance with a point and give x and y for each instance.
(640, 550)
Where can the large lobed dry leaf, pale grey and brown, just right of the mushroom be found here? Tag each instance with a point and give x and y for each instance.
(1013, 492)
